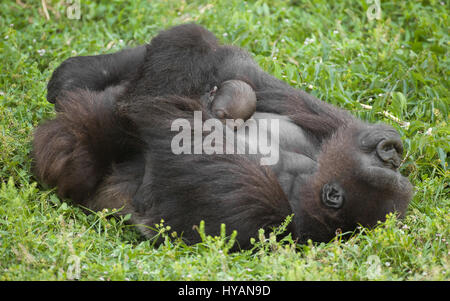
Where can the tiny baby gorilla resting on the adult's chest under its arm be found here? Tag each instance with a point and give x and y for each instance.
(235, 99)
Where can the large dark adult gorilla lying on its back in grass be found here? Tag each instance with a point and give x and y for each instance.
(110, 146)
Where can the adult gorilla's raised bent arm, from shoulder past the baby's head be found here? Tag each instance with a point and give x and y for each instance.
(187, 60)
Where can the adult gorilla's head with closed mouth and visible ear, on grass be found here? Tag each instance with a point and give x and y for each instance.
(358, 182)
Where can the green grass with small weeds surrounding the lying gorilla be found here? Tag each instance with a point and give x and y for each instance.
(399, 64)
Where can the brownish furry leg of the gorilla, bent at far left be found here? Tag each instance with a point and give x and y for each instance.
(75, 150)
